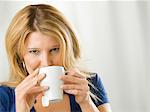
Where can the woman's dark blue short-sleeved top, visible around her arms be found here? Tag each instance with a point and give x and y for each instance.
(7, 96)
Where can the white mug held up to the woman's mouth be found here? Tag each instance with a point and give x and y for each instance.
(54, 93)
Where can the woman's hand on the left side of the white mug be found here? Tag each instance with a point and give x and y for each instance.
(27, 91)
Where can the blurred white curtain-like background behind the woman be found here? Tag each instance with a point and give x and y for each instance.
(115, 43)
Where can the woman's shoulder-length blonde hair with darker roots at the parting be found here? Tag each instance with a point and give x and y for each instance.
(47, 20)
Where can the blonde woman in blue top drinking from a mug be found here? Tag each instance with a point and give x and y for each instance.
(38, 36)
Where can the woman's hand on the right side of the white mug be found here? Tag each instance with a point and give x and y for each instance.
(75, 83)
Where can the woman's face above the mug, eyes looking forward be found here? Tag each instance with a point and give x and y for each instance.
(41, 51)
